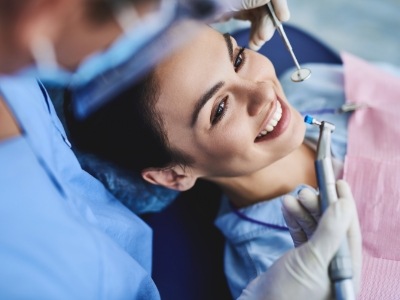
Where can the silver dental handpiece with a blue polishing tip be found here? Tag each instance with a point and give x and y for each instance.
(340, 268)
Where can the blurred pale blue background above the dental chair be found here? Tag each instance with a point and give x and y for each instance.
(366, 28)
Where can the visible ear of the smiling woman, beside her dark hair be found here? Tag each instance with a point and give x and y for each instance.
(175, 178)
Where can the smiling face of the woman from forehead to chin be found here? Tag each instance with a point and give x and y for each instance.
(225, 107)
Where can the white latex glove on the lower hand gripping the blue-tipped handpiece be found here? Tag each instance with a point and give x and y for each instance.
(302, 273)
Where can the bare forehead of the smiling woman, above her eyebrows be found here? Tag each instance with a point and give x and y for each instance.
(190, 72)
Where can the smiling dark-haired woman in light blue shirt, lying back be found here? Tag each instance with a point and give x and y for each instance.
(214, 111)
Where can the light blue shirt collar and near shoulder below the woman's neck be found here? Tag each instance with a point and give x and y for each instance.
(251, 248)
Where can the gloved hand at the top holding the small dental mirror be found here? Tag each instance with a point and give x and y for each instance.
(255, 11)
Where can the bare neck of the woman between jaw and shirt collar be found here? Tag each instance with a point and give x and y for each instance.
(275, 180)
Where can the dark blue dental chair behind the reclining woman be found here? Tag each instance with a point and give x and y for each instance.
(187, 248)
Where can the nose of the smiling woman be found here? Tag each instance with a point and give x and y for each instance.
(258, 96)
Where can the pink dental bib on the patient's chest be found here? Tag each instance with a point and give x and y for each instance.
(372, 168)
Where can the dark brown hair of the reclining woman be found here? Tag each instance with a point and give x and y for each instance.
(128, 131)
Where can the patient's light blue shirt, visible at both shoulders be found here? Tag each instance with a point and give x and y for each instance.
(252, 248)
